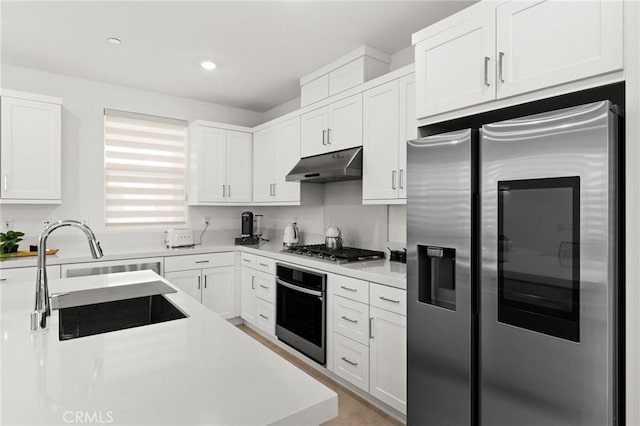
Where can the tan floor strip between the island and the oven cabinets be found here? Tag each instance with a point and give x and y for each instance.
(352, 410)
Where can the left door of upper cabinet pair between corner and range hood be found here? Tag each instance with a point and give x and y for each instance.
(264, 160)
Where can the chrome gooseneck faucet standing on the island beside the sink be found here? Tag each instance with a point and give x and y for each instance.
(42, 309)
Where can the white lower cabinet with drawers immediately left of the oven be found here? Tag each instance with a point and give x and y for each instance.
(258, 292)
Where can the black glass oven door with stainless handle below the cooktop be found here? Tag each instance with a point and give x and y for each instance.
(300, 319)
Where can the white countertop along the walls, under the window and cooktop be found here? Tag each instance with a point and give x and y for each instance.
(378, 271)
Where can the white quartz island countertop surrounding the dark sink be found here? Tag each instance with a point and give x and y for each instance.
(192, 371)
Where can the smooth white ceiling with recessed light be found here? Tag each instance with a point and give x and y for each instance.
(262, 48)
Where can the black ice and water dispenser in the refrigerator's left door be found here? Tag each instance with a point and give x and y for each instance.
(437, 276)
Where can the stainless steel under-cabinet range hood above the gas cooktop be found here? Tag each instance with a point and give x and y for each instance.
(330, 167)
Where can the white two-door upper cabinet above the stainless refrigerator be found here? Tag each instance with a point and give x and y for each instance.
(495, 50)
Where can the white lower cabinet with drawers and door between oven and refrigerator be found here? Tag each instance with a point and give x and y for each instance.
(369, 332)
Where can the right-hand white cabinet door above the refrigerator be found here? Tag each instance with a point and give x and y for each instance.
(572, 41)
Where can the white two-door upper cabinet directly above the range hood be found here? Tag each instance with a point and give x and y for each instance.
(333, 127)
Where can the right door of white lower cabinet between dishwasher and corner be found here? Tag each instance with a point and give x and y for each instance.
(218, 293)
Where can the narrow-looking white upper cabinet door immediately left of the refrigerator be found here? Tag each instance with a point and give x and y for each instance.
(408, 127)
